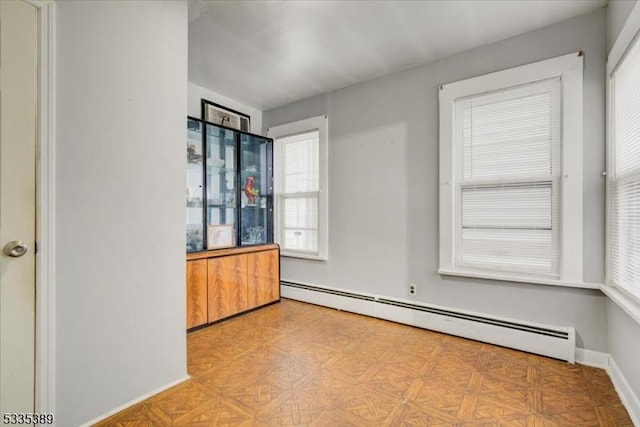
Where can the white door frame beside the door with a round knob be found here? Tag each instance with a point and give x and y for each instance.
(45, 338)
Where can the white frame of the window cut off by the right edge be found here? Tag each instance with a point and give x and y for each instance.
(629, 35)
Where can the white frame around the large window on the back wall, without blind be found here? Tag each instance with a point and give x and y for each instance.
(569, 68)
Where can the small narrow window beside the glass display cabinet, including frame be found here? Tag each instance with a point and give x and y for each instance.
(300, 177)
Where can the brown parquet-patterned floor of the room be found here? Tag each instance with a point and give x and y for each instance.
(296, 364)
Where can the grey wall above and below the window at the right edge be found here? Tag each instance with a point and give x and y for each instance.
(624, 331)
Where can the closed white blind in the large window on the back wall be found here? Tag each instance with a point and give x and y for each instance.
(507, 157)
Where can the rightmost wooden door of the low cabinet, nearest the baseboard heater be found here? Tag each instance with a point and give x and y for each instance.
(264, 278)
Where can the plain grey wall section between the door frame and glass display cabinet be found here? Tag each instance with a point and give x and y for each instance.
(121, 107)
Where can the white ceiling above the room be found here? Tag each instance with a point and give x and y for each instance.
(269, 53)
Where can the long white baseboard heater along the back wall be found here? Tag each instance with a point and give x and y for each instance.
(553, 341)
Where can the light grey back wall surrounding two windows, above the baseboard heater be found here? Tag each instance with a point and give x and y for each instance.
(383, 185)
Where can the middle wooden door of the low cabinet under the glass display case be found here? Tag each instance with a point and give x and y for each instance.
(227, 286)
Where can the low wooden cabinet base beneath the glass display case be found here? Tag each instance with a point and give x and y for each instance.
(226, 282)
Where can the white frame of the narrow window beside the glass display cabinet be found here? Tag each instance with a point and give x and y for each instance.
(319, 123)
